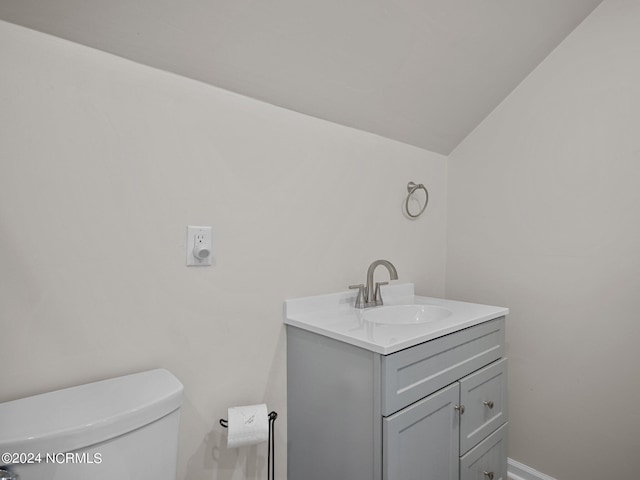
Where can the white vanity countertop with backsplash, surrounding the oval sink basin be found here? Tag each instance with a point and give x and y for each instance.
(334, 316)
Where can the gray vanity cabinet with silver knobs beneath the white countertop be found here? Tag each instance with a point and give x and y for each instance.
(434, 411)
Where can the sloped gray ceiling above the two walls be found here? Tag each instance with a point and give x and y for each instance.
(424, 72)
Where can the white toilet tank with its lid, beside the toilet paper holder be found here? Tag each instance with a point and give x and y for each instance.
(124, 428)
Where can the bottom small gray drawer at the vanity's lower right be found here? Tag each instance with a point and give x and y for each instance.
(488, 460)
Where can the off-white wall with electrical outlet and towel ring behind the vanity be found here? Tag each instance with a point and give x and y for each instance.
(103, 164)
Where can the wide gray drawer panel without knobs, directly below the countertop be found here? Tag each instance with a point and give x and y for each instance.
(414, 373)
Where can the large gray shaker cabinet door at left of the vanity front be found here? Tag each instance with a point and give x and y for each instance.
(421, 441)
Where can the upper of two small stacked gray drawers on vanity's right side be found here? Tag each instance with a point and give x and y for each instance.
(484, 396)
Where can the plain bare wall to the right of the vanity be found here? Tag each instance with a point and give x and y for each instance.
(543, 218)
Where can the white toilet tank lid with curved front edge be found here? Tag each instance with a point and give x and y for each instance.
(77, 417)
